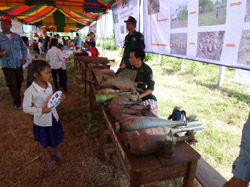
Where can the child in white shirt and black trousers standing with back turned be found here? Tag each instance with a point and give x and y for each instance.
(55, 57)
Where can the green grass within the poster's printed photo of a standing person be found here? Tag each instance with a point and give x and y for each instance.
(209, 18)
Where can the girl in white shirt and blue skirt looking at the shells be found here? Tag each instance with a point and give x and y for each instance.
(47, 128)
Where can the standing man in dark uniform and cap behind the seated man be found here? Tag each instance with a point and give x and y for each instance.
(133, 40)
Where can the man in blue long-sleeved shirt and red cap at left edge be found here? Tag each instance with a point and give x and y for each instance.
(13, 54)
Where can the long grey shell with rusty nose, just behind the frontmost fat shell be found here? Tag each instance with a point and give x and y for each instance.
(130, 123)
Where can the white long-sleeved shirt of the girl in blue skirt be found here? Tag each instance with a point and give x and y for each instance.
(35, 98)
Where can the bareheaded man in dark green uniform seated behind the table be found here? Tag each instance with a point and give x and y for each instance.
(144, 78)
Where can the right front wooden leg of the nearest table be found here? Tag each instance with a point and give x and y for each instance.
(189, 178)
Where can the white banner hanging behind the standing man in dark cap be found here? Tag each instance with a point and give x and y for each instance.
(121, 10)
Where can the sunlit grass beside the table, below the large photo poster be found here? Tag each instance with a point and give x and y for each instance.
(222, 111)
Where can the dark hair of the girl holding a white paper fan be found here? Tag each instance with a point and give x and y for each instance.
(36, 66)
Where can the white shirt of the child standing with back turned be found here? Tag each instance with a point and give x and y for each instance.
(55, 57)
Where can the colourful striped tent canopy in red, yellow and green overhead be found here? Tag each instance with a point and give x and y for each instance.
(63, 15)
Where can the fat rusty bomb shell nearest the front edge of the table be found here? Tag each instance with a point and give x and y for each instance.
(147, 141)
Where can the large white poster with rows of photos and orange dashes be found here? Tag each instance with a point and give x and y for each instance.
(212, 31)
